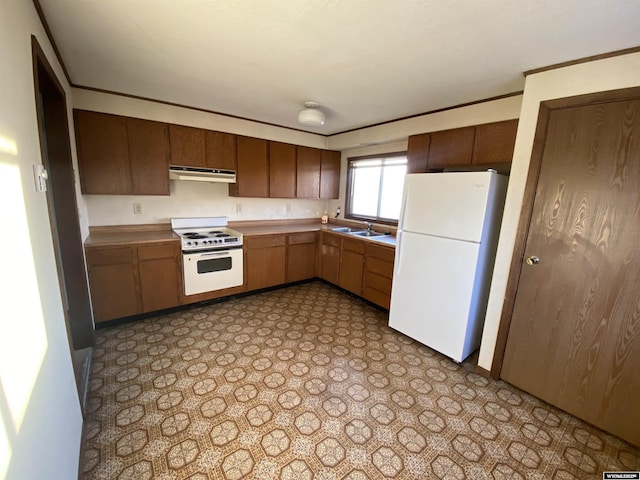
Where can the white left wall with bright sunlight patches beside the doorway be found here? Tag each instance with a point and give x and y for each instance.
(40, 417)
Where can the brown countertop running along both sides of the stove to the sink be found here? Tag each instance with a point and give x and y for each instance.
(105, 236)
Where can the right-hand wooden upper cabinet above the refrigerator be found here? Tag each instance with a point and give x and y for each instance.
(494, 142)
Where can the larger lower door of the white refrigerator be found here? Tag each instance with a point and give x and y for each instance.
(433, 294)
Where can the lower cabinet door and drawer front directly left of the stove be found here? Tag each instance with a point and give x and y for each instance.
(160, 276)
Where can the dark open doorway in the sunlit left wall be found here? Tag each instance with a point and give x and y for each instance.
(53, 127)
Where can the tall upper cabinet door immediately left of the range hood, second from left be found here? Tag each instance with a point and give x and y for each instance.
(149, 156)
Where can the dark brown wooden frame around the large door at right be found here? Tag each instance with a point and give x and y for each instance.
(528, 200)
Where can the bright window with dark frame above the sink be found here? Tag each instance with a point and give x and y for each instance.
(374, 186)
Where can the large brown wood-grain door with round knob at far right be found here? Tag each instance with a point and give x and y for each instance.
(574, 338)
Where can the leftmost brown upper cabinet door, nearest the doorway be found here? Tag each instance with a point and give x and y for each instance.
(103, 156)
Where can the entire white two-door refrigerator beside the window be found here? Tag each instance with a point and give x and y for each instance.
(446, 247)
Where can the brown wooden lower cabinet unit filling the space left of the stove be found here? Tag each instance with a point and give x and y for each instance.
(134, 279)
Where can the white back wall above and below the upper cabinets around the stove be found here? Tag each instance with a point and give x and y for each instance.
(193, 198)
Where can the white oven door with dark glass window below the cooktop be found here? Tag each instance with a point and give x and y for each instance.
(209, 271)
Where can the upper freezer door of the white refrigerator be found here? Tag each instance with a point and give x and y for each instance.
(450, 204)
